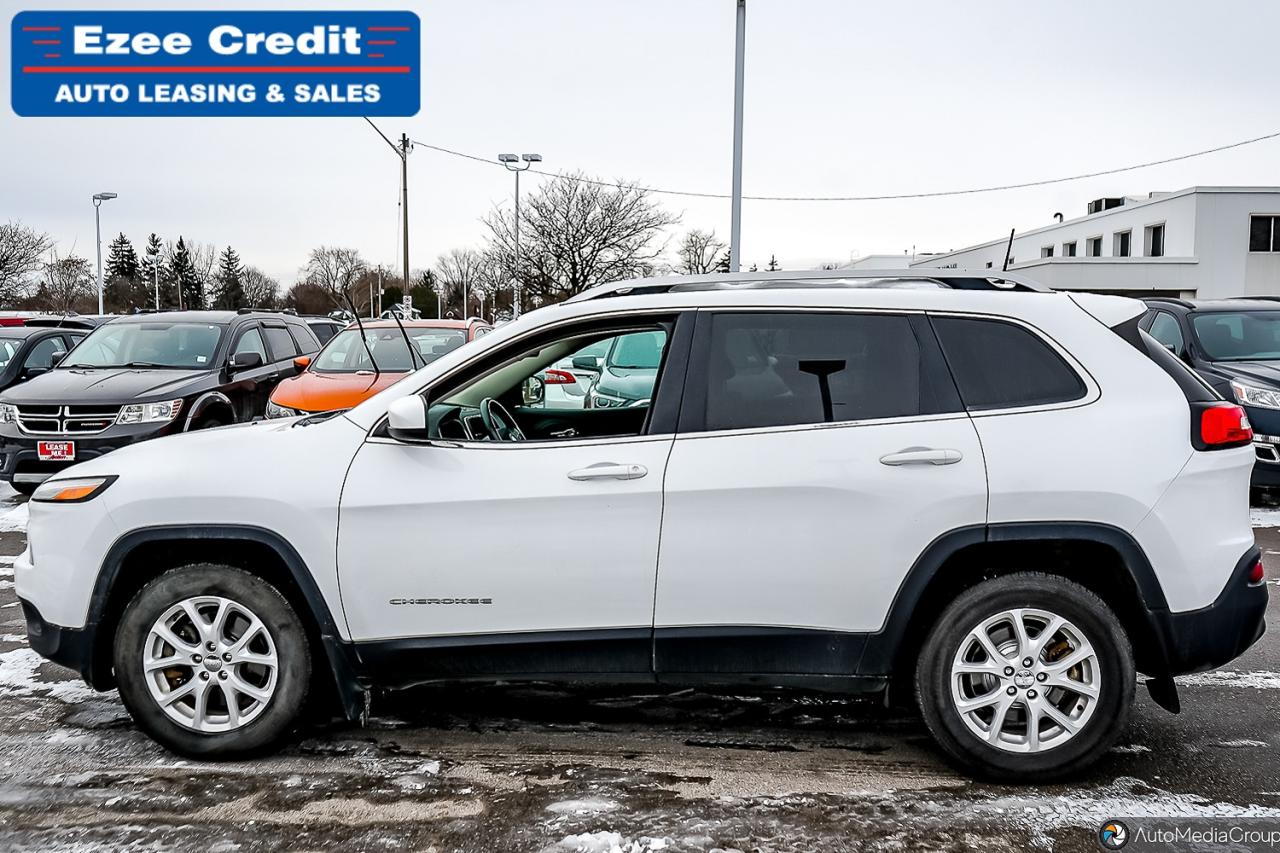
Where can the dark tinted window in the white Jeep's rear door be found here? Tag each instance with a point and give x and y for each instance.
(797, 368)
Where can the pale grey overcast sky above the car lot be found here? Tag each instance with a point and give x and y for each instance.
(842, 99)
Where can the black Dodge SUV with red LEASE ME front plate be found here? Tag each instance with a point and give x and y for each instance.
(147, 376)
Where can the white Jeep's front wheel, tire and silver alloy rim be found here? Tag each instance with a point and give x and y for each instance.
(213, 663)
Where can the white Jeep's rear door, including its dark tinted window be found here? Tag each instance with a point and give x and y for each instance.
(819, 455)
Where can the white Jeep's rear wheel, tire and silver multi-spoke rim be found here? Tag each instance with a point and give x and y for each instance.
(1026, 678)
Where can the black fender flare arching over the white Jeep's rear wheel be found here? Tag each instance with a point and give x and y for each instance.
(884, 646)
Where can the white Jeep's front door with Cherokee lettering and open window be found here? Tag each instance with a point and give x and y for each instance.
(506, 548)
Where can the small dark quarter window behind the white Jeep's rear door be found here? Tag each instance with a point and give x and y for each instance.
(1003, 366)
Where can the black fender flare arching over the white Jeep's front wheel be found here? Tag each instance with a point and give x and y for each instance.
(340, 653)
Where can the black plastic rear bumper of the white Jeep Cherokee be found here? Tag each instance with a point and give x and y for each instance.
(1210, 637)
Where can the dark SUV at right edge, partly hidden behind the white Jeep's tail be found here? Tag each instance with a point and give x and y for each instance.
(1235, 346)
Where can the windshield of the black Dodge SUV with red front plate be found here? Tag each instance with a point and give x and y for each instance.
(148, 345)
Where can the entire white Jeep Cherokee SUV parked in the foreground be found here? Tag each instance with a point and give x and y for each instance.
(1007, 499)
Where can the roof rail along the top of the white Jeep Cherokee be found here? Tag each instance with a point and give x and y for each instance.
(961, 280)
